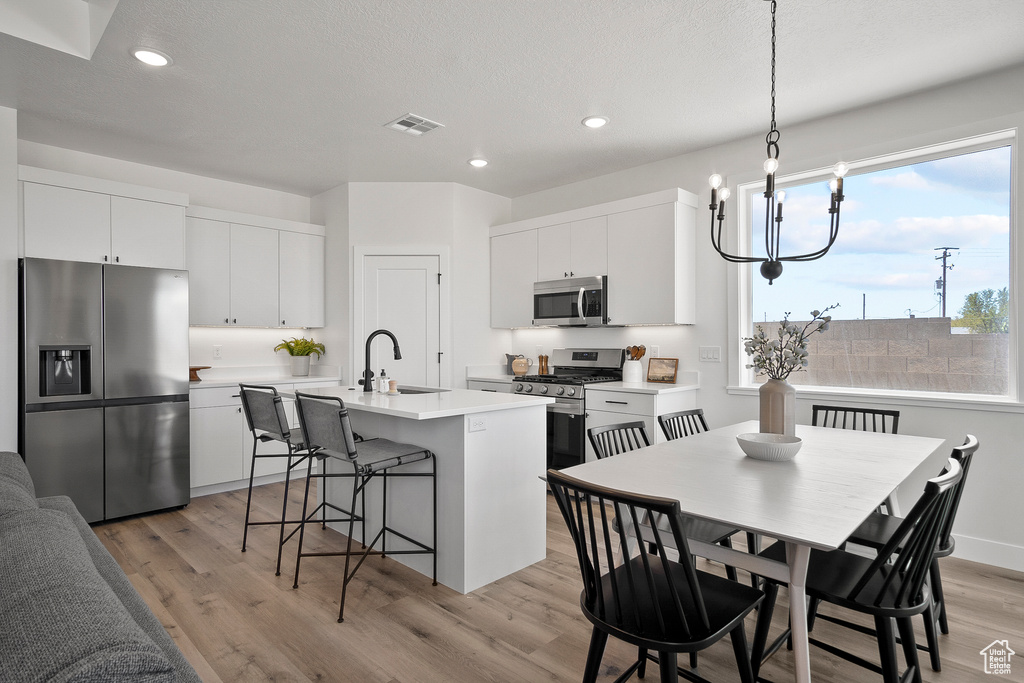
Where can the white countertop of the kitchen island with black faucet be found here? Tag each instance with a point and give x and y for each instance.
(430, 406)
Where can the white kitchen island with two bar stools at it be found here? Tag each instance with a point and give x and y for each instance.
(490, 451)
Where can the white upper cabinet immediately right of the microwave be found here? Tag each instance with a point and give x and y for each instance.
(652, 266)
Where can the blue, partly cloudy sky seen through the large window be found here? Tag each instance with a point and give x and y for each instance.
(884, 262)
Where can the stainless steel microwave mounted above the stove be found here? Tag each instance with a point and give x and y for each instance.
(572, 303)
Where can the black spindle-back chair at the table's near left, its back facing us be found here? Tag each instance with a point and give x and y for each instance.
(648, 600)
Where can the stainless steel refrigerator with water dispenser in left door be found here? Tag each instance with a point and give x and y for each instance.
(105, 386)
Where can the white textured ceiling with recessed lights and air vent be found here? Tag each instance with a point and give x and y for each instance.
(293, 96)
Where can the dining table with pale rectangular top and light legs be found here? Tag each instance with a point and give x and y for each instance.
(813, 502)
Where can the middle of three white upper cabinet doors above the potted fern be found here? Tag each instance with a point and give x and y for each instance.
(254, 264)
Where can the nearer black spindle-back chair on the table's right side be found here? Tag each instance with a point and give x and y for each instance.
(890, 587)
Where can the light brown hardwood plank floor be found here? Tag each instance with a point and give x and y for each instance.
(235, 621)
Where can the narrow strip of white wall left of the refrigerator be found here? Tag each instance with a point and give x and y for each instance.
(10, 237)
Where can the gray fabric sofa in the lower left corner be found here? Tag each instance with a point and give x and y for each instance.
(68, 613)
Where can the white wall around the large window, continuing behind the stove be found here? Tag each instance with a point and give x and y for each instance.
(987, 526)
